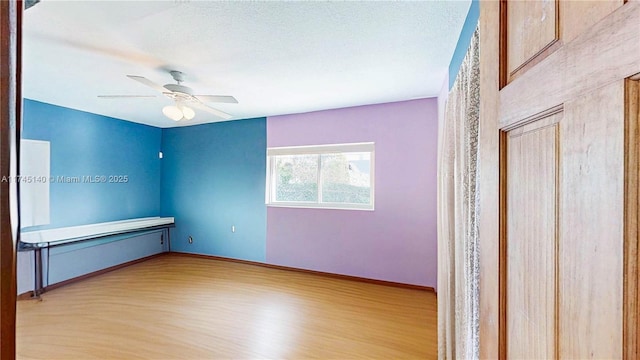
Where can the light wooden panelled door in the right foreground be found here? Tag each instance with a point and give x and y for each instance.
(559, 179)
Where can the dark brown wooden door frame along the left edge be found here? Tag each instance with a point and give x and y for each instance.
(10, 30)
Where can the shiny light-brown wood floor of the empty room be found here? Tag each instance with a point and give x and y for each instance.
(177, 307)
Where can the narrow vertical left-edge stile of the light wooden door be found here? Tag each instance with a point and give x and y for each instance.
(488, 172)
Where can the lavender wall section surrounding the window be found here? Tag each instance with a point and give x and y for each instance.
(396, 242)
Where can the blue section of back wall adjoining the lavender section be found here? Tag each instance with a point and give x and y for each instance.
(213, 178)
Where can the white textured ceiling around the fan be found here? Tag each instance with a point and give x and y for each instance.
(274, 57)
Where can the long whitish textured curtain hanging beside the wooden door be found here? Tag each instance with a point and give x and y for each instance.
(458, 271)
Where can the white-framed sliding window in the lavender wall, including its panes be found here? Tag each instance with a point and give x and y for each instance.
(326, 176)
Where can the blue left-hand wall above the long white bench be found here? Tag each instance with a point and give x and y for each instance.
(85, 144)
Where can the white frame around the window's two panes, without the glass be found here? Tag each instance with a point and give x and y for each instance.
(318, 150)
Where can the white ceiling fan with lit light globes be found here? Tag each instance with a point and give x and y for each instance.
(182, 96)
